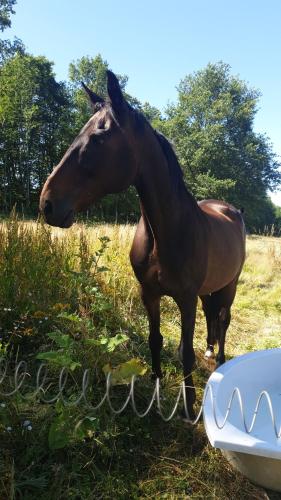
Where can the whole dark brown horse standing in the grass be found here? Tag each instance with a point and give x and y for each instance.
(181, 248)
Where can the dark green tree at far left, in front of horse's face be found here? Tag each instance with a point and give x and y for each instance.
(34, 127)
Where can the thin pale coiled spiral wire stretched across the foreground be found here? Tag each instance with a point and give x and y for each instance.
(21, 375)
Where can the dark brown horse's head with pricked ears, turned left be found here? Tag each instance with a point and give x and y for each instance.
(99, 161)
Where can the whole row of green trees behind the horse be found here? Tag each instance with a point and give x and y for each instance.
(211, 126)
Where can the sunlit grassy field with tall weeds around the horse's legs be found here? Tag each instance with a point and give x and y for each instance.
(71, 297)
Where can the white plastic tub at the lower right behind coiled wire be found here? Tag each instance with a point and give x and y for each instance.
(242, 415)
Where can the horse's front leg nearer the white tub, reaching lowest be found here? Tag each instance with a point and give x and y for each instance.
(187, 306)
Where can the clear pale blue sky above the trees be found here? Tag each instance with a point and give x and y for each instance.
(158, 42)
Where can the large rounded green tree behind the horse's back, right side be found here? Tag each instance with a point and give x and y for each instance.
(211, 126)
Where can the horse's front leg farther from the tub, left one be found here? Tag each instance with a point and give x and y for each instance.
(152, 305)
